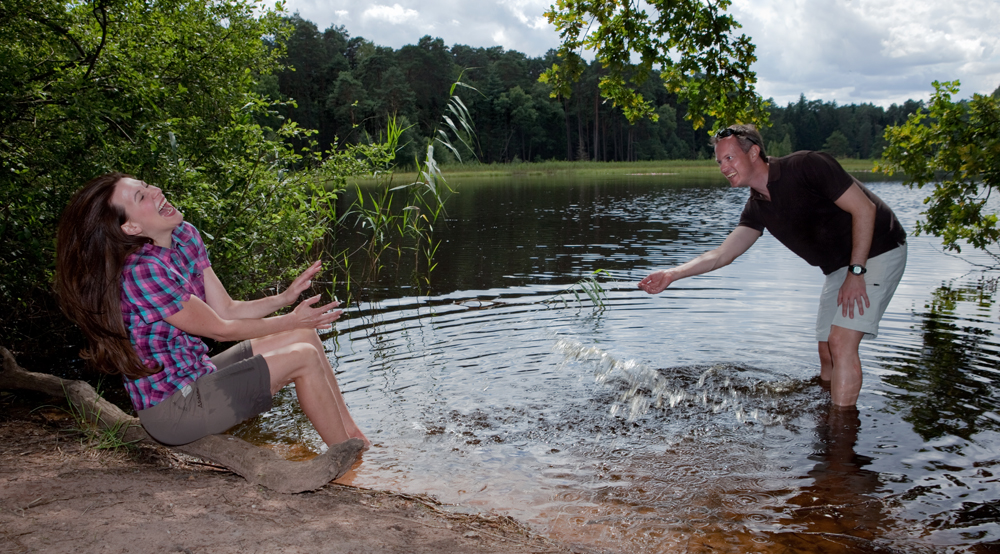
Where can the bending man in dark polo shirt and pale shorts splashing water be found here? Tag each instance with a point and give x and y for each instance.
(829, 219)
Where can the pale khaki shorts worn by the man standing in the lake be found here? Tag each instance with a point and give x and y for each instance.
(884, 273)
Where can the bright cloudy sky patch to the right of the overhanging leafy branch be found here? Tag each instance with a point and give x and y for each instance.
(879, 51)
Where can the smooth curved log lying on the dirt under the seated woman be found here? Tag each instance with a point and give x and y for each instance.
(257, 465)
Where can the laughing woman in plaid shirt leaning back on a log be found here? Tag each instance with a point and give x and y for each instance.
(137, 280)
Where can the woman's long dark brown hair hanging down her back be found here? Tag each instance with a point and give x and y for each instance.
(90, 253)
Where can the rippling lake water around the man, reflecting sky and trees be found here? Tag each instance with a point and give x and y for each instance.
(689, 421)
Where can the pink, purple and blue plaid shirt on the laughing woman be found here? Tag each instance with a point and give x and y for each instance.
(155, 281)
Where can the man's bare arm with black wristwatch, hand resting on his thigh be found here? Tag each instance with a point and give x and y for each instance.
(862, 211)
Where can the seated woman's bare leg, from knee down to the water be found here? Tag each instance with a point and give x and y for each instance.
(298, 356)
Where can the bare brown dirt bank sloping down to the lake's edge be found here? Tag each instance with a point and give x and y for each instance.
(58, 494)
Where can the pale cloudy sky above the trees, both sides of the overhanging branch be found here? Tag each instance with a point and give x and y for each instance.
(848, 51)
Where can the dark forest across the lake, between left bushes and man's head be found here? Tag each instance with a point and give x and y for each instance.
(346, 88)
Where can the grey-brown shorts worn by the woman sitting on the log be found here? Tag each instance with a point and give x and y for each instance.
(239, 389)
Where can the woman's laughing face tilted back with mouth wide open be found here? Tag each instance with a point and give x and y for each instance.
(147, 210)
